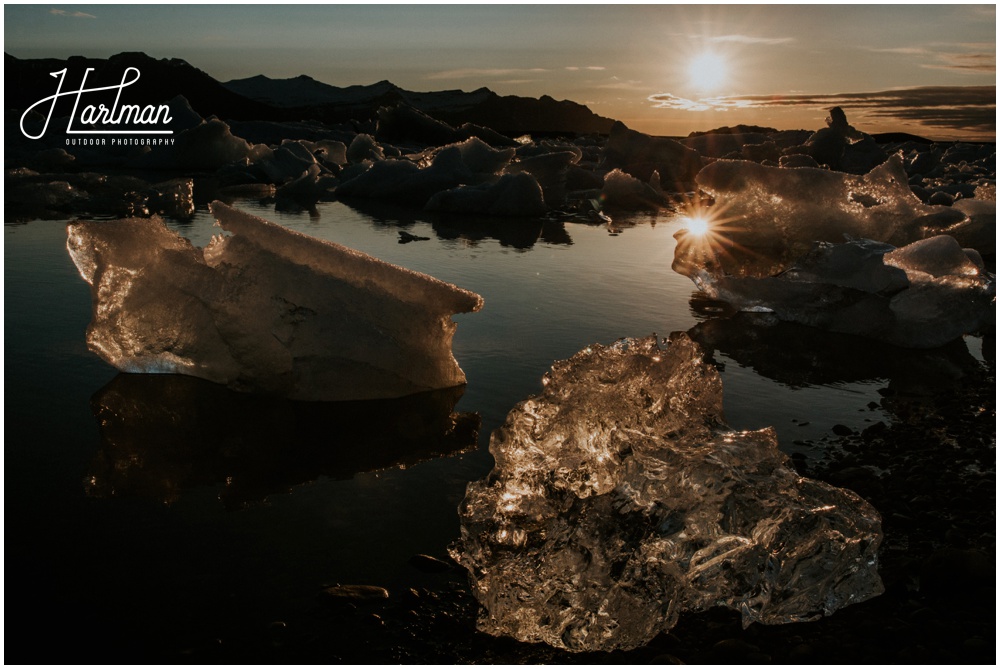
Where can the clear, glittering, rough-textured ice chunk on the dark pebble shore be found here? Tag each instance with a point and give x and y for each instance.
(620, 499)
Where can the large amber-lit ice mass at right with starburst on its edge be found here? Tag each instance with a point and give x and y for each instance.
(774, 241)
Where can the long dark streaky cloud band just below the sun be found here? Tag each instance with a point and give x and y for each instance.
(959, 108)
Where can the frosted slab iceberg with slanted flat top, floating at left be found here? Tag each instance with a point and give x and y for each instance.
(265, 309)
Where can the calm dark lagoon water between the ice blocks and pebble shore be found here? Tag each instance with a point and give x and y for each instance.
(143, 548)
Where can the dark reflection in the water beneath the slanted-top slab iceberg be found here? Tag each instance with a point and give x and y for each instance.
(163, 434)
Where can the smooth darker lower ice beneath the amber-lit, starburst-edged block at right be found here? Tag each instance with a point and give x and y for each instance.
(922, 295)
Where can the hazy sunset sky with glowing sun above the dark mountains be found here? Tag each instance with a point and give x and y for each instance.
(661, 69)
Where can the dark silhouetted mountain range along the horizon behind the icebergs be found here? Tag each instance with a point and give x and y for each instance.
(295, 99)
